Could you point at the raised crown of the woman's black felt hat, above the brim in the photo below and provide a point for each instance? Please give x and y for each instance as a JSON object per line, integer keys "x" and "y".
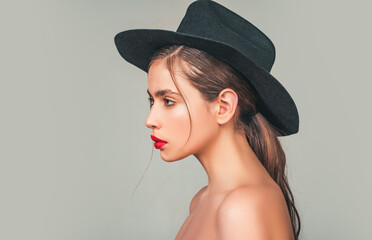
{"x": 210, "y": 20}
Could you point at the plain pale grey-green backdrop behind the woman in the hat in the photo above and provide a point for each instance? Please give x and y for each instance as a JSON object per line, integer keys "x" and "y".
{"x": 74, "y": 144}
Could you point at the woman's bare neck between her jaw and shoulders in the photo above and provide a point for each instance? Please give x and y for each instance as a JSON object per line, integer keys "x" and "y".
{"x": 230, "y": 162}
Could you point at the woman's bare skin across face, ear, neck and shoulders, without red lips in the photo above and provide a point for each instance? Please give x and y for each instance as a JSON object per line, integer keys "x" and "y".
{"x": 241, "y": 200}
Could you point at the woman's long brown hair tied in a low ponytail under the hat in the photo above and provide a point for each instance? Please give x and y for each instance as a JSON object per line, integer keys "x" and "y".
{"x": 210, "y": 76}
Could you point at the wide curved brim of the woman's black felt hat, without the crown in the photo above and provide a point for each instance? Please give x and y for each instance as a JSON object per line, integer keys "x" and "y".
{"x": 137, "y": 46}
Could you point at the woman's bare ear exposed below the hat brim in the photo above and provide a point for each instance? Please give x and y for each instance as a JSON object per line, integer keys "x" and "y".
{"x": 226, "y": 104}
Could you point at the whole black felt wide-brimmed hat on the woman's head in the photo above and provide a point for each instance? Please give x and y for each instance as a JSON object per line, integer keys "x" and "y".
{"x": 212, "y": 28}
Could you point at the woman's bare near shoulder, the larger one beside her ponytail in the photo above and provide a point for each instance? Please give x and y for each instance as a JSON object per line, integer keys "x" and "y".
{"x": 254, "y": 212}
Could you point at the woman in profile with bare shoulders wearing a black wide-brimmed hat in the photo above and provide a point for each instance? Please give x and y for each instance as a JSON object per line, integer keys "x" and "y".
{"x": 212, "y": 96}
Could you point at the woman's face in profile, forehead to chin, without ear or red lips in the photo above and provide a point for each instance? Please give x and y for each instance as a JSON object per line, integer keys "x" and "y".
{"x": 169, "y": 118}
